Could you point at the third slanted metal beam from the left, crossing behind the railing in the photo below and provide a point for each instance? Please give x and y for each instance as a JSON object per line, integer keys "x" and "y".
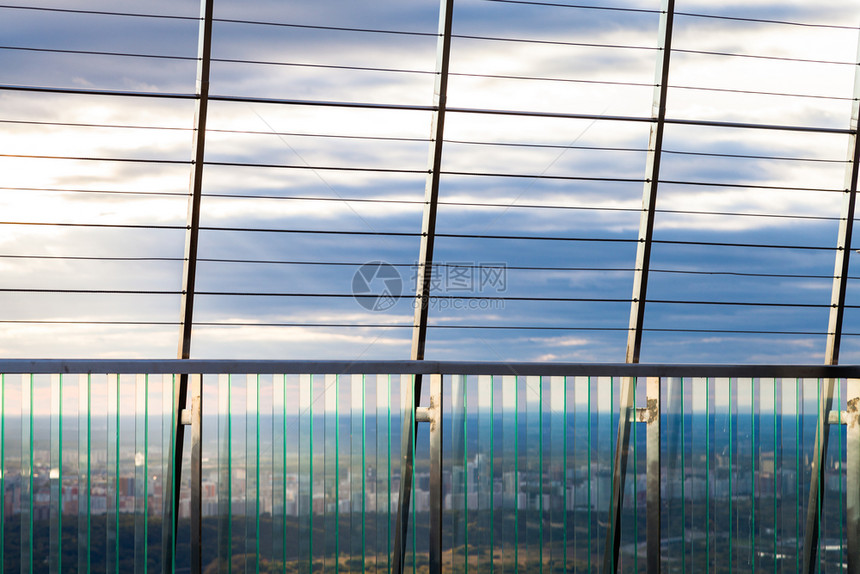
{"x": 640, "y": 284}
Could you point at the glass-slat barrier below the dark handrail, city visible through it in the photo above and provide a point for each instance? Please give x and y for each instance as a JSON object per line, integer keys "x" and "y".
{"x": 301, "y": 473}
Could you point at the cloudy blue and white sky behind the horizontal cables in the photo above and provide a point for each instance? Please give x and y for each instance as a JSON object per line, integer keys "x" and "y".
{"x": 532, "y": 207}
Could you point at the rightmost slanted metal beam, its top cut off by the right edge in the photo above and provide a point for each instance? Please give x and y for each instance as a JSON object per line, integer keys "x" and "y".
{"x": 834, "y": 337}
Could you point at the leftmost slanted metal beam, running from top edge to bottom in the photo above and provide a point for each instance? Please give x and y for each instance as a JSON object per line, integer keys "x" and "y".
{"x": 189, "y": 274}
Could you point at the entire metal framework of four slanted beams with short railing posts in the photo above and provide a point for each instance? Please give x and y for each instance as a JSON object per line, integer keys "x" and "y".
{"x": 185, "y": 416}
